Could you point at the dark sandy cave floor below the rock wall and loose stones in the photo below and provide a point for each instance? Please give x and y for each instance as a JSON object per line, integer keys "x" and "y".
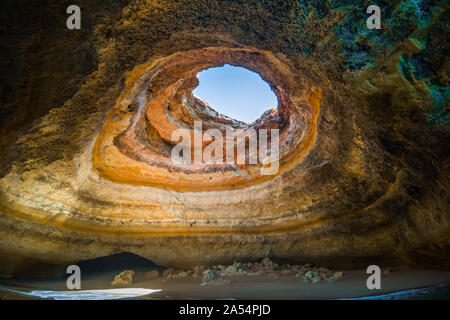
{"x": 352, "y": 285}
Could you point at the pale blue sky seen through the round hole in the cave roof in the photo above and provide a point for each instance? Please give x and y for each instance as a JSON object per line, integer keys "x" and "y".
{"x": 236, "y": 92}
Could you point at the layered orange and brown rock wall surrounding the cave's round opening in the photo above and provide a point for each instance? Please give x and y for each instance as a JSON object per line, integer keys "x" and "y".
{"x": 86, "y": 119}
